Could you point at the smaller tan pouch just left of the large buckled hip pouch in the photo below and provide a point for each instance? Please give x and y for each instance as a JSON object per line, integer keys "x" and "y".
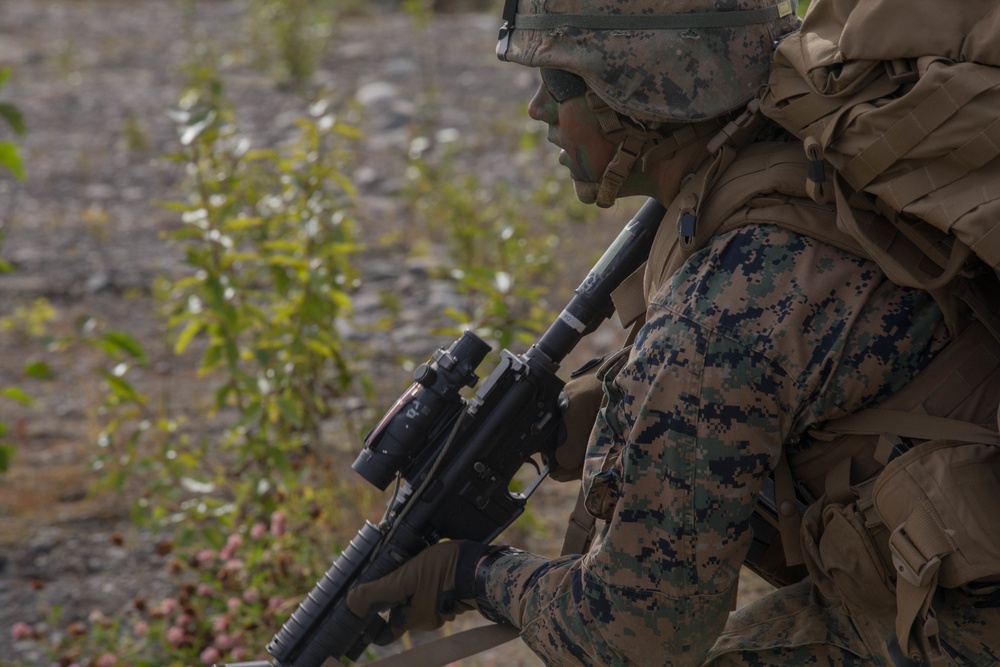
{"x": 842, "y": 557}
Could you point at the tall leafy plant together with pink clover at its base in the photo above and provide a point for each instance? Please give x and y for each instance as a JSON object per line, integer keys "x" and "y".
{"x": 256, "y": 508}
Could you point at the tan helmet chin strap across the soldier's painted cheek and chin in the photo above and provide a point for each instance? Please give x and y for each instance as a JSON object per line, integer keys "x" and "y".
{"x": 635, "y": 144}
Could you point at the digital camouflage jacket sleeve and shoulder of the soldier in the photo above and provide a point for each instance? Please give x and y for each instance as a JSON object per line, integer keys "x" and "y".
{"x": 760, "y": 335}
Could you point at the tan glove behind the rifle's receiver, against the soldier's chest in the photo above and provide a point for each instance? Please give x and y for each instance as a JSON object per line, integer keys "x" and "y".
{"x": 584, "y": 396}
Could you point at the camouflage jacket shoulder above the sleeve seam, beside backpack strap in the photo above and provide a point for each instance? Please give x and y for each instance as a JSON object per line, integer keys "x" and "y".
{"x": 773, "y": 292}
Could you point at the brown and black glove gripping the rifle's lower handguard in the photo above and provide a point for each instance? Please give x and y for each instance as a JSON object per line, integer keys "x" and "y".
{"x": 423, "y": 593}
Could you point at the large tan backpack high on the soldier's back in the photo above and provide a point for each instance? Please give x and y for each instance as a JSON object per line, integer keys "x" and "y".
{"x": 901, "y": 98}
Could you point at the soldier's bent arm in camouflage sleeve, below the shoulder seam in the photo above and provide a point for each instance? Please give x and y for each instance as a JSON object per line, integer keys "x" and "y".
{"x": 662, "y": 574}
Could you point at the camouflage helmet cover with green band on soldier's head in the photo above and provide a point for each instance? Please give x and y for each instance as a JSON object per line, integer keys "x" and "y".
{"x": 680, "y": 60}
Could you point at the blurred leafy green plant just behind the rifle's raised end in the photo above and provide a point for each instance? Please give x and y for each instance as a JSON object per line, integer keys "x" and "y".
{"x": 503, "y": 243}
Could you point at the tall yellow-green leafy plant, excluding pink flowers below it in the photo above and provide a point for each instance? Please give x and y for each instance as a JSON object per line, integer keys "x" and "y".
{"x": 267, "y": 236}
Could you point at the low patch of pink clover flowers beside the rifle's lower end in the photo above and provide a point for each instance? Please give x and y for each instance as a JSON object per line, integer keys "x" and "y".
{"x": 229, "y": 598}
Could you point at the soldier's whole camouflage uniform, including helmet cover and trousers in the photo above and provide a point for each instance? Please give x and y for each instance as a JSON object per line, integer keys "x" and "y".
{"x": 760, "y": 335}
